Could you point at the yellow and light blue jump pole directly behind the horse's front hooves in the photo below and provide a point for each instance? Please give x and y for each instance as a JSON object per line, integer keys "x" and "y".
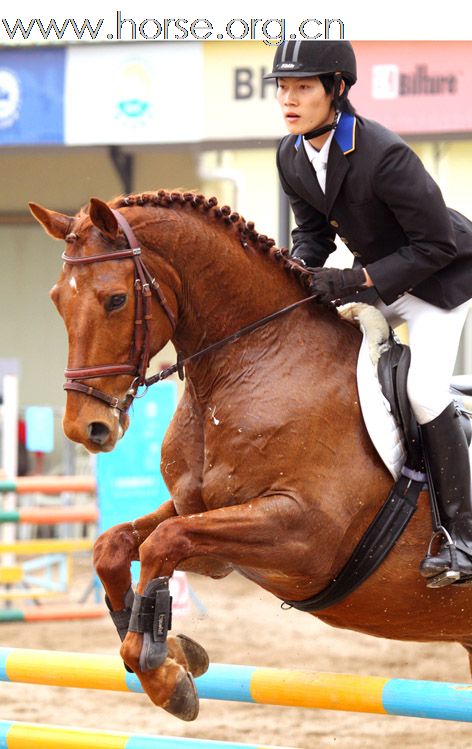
{"x": 269, "y": 686}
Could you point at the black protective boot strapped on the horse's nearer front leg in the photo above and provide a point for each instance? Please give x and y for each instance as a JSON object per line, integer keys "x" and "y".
{"x": 151, "y": 616}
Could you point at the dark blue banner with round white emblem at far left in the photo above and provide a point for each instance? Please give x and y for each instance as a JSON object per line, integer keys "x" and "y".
{"x": 31, "y": 96}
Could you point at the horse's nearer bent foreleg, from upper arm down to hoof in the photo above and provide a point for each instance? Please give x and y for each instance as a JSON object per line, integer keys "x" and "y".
{"x": 268, "y": 533}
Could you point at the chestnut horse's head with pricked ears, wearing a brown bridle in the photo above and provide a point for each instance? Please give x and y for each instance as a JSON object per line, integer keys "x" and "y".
{"x": 114, "y": 323}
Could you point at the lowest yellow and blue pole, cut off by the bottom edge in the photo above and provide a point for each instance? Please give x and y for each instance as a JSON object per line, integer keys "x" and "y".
{"x": 34, "y": 736}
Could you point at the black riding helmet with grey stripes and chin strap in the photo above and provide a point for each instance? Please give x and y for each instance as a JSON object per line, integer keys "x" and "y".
{"x": 306, "y": 58}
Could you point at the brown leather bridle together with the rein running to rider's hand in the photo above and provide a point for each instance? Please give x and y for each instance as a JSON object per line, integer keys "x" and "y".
{"x": 144, "y": 285}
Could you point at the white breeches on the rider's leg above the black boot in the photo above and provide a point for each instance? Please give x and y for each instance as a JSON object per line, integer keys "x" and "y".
{"x": 434, "y": 336}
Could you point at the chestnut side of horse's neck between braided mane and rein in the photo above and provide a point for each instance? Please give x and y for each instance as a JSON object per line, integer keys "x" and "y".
{"x": 223, "y": 285}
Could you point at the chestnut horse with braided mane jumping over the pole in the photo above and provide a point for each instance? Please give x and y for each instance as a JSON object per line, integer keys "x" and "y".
{"x": 268, "y": 463}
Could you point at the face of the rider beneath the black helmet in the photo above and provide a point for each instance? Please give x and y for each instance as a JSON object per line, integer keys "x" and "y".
{"x": 305, "y": 104}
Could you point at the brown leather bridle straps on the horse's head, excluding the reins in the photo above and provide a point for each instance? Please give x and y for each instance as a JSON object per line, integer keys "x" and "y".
{"x": 144, "y": 285}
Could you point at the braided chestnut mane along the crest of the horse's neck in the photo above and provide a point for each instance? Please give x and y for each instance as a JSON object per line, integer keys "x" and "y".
{"x": 230, "y": 219}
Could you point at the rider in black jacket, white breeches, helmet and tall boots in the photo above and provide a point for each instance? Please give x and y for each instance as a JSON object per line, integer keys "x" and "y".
{"x": 350, "y": 176}
